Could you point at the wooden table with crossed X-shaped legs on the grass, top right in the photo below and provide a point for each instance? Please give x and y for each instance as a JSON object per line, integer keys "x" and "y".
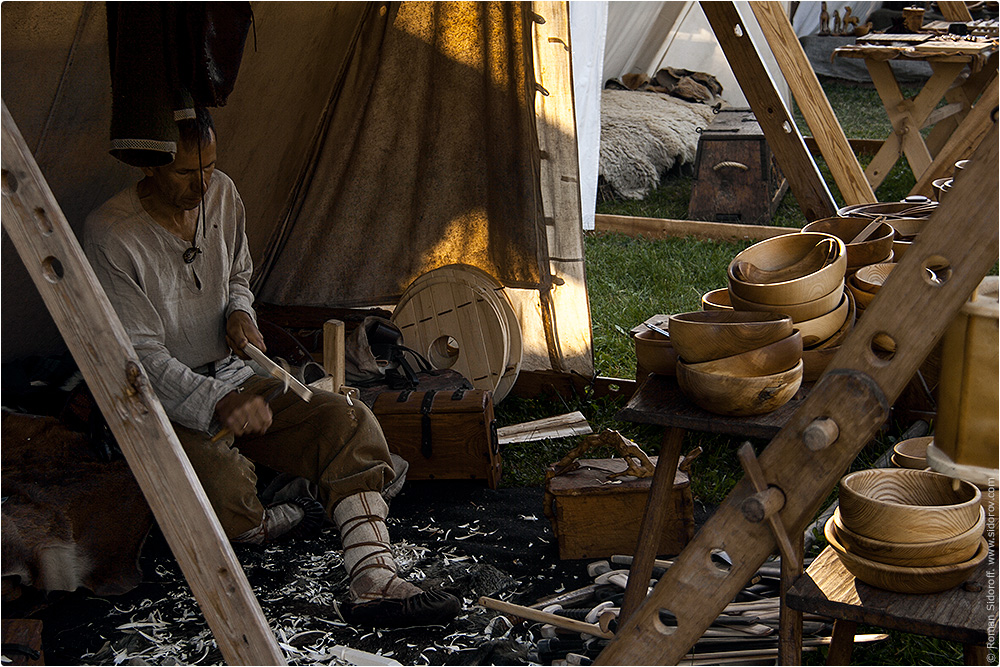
{"x": 948, "y": 57}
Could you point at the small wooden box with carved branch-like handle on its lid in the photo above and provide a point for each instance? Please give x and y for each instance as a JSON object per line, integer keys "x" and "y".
{"x": 594, "y": 518}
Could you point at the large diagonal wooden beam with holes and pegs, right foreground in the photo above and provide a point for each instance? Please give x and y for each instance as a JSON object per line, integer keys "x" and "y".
{"x": 841, "y": 414}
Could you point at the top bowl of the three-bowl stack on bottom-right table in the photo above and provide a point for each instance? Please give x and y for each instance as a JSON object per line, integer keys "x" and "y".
{"x": 902, "y": 505}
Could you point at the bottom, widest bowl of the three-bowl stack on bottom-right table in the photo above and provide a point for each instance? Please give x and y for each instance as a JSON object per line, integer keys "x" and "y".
{"x": 902, "y": 579}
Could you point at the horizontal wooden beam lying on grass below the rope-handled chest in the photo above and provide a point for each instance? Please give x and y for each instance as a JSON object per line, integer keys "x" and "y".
{"x": 660, "y": 228}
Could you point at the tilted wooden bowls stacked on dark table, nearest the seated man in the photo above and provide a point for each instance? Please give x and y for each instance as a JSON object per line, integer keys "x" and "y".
{"x": 737, "y": 363}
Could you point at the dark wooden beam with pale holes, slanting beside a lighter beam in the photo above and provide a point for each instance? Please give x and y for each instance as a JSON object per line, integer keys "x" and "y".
{"x": 777, "y": 123}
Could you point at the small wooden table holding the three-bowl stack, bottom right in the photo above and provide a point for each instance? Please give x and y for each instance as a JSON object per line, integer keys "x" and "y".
{"x": 961, "y": 614}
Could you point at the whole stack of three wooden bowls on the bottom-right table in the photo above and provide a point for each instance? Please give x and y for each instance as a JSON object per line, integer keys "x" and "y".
{"x": 909, "y": 531}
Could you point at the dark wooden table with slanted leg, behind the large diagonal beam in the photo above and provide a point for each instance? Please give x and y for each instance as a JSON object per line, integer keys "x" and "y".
{"x": 659, "y": 401}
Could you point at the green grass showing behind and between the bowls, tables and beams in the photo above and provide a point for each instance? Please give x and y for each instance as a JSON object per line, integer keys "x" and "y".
{"x": 630, "y": 279}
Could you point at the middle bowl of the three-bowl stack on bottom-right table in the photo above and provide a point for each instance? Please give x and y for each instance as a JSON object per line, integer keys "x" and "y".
{"x": 956, "y": 549}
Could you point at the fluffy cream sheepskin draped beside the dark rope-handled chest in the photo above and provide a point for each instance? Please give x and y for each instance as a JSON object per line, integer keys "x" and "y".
{"x": 643, "y": 134}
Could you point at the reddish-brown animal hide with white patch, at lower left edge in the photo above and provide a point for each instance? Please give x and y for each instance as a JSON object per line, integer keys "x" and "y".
{"x": 69, "y": 520}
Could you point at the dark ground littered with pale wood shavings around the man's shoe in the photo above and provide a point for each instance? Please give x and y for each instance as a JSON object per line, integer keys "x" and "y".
{"x": 464, "y": 536}
